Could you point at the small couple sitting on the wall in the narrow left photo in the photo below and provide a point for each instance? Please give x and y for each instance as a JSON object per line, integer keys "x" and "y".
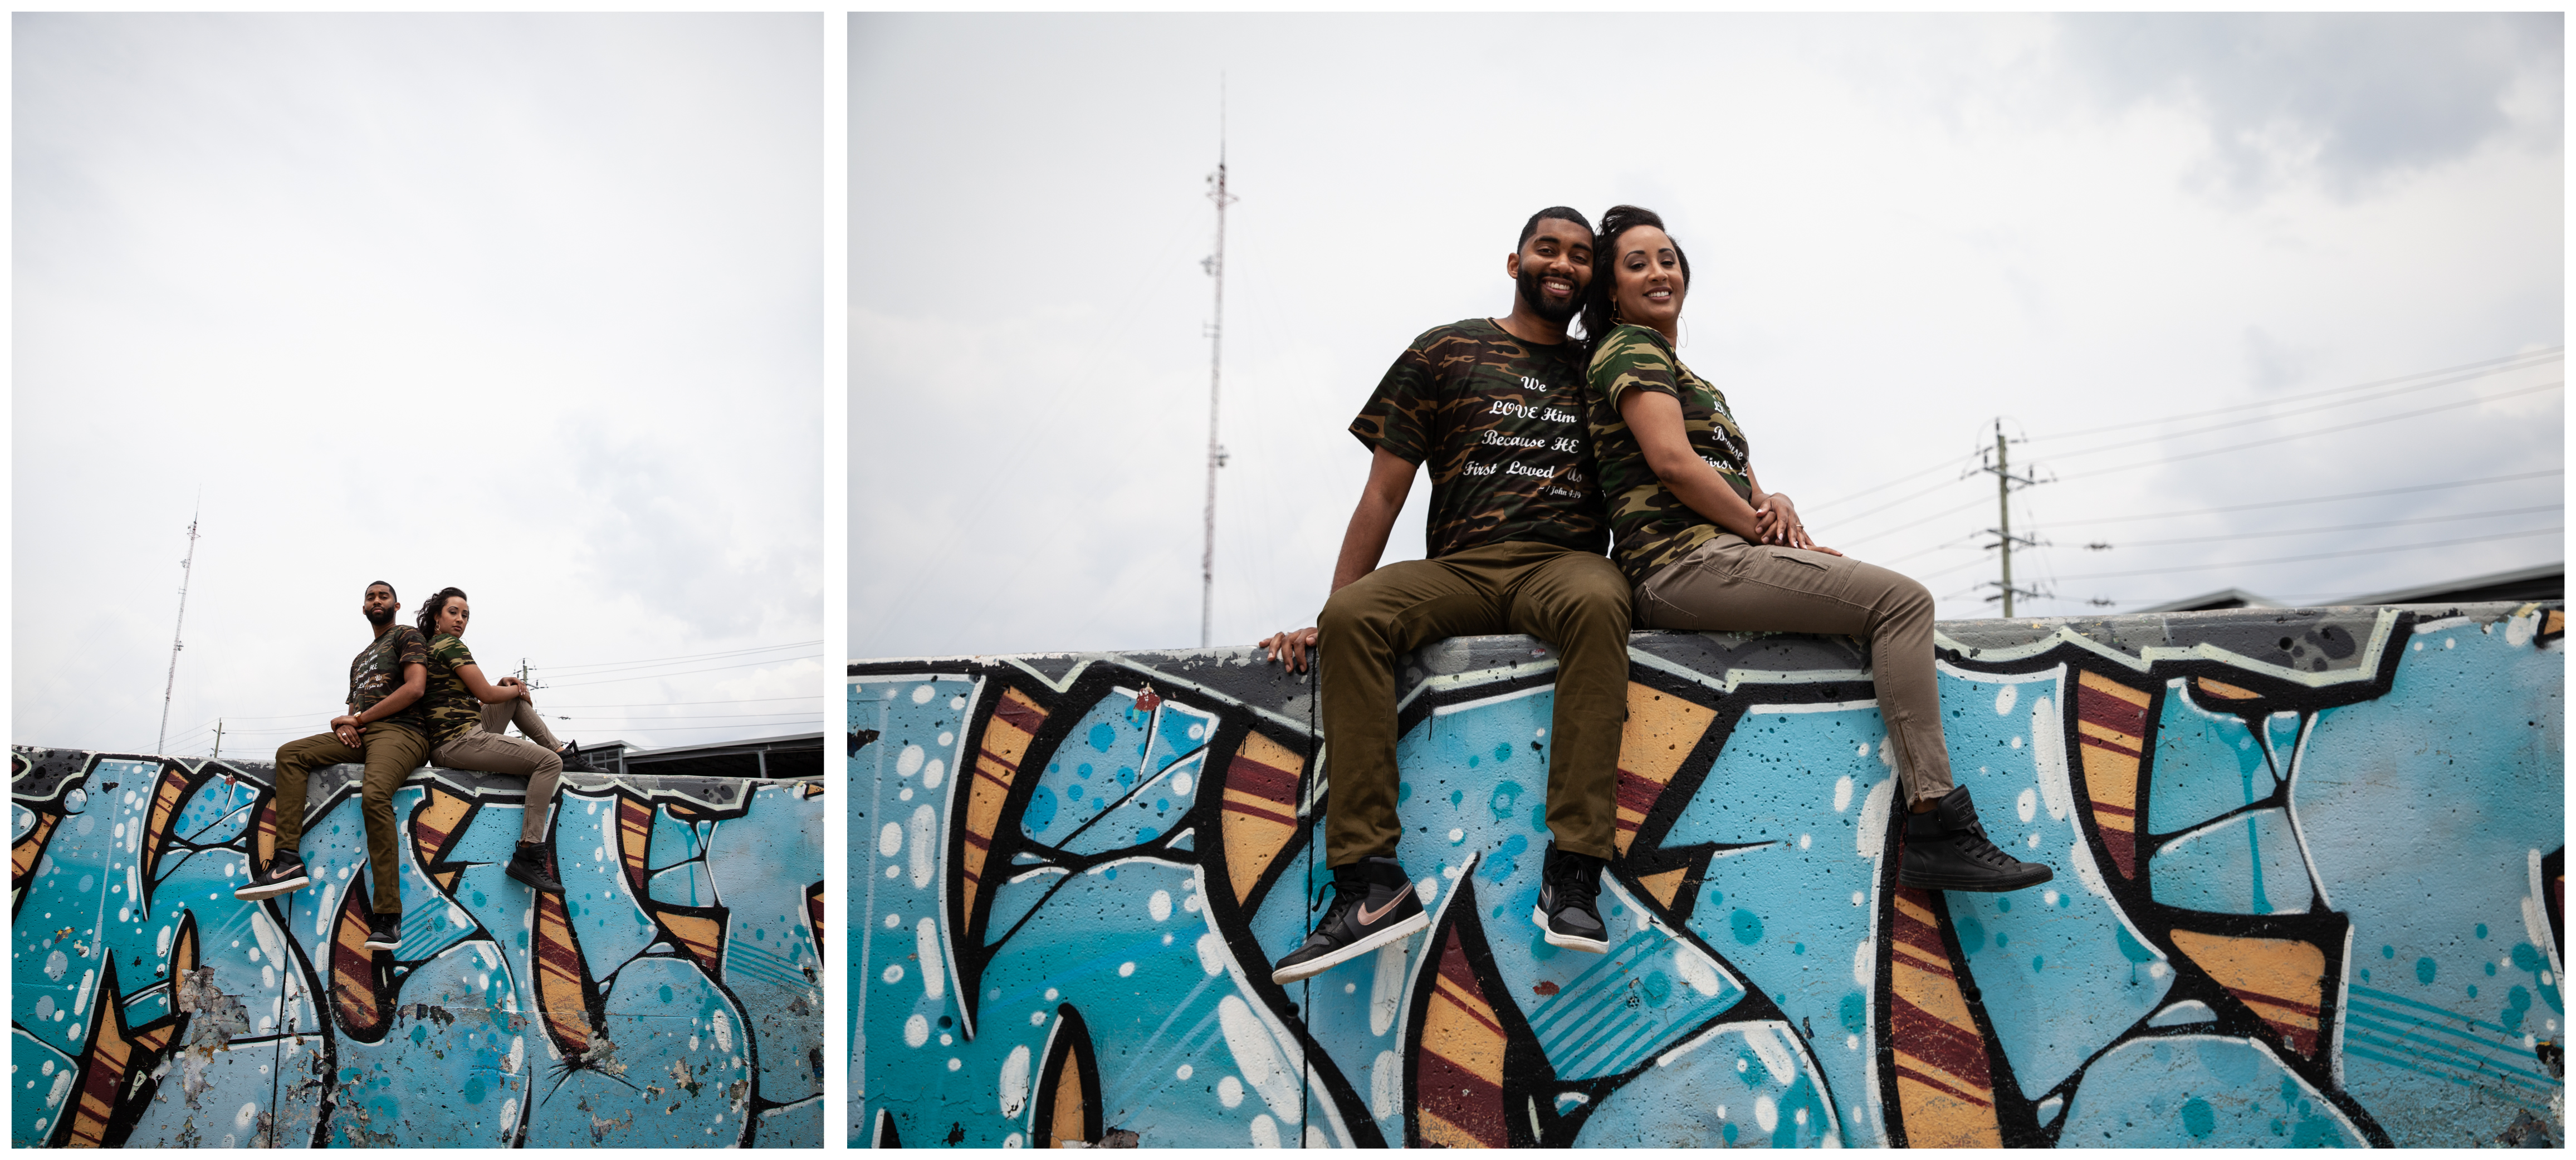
{"x": 419, "y": 695}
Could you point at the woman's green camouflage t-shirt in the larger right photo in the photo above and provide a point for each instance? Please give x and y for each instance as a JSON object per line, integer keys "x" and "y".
{"x": 1653, "y": 525}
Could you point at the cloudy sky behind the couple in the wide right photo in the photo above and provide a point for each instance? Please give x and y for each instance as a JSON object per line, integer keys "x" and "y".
{"x": 1902, "y": 228}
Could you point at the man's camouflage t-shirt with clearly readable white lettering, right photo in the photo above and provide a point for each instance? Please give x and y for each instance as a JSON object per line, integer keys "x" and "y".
{"x": 1501, "y": 429}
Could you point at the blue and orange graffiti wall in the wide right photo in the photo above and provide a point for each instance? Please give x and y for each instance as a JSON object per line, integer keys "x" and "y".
{"x": 2307, "y": 893}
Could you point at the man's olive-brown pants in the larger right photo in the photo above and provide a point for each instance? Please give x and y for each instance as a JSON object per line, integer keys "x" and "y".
{"x": 1570, "y": 599}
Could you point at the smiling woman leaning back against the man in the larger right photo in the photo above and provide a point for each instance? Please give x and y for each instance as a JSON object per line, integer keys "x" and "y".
{"x": 1707, "y": 548}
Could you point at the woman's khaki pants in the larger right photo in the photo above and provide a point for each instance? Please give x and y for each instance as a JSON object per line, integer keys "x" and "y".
{"x": 1738, "y": 586}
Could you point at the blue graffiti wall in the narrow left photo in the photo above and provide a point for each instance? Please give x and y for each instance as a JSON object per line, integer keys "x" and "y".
{"x": 671, "y": 996}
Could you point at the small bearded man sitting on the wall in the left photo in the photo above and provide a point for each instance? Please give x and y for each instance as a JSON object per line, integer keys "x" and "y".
{"x": 385, "y": 731}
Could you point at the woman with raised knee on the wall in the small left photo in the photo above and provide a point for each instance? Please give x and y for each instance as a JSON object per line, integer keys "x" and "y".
{"x": 468, "y": 720}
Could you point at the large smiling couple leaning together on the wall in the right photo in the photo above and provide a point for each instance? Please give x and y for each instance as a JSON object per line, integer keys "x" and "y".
{"x": 1542, "y": 452}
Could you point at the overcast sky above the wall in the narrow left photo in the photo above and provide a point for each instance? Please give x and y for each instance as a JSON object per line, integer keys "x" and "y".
{"x": 516, "y": 305}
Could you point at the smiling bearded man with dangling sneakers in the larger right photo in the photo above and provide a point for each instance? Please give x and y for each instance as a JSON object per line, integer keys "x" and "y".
{"x": 1516, "y": 540}
